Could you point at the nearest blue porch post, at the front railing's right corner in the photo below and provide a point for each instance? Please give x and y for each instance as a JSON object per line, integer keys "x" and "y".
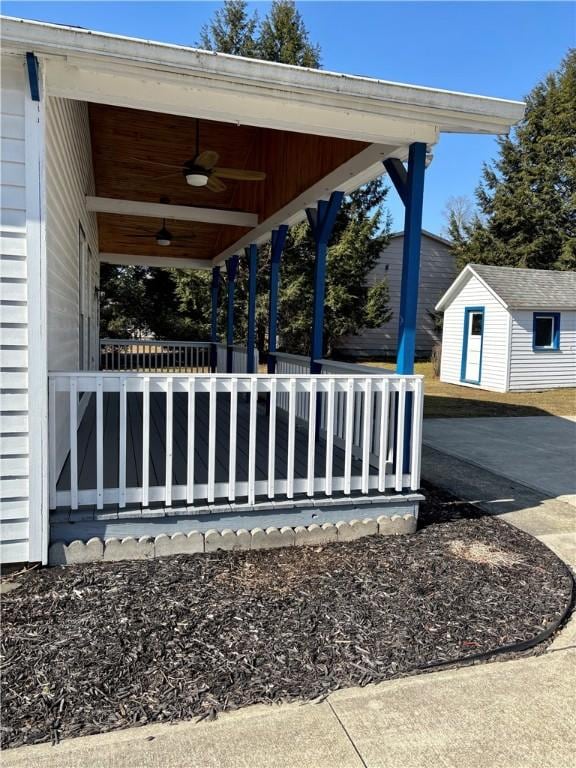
{"x": 410, "y": 187}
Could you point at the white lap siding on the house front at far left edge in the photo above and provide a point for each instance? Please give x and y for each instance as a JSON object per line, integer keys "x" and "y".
{"x": 14, "y": 421}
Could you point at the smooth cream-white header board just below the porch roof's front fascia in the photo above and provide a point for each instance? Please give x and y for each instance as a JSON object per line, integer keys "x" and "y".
{"x": 208, "y": 99}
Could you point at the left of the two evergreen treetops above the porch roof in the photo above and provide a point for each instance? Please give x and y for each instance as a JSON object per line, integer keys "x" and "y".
{"x": 232, "y": 30}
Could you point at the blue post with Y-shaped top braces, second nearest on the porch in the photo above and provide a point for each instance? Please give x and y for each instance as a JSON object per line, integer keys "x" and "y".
{"x": 321, "y": 223}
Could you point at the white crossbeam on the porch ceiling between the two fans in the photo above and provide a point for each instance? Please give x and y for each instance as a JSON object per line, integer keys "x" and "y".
{"x": 173, "y": 212}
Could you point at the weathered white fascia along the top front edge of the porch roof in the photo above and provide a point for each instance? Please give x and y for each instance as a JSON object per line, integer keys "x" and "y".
{"x": 448, "y": 110}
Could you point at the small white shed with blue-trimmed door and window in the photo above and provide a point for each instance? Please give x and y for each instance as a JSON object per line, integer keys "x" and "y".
{"x": 508, "y": 329}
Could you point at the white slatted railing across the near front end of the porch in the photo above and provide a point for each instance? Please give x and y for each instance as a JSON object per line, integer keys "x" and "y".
{"x": 372, "y": 454}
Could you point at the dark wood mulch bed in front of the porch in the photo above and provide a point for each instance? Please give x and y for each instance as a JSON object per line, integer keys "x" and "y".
{"x": 98, "y": 647}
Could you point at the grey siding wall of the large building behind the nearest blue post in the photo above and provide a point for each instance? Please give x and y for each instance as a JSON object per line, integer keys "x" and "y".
{"x": 437, "y": 272}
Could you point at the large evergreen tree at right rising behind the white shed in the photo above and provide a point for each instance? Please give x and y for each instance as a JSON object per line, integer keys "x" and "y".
{"x": 527, "y": 197}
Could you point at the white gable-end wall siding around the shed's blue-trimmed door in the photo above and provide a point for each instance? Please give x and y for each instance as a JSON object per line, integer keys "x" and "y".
{"x": 495, "y": 343}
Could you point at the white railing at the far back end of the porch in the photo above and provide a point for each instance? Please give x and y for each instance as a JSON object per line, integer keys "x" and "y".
{"x": 158, "y": 355}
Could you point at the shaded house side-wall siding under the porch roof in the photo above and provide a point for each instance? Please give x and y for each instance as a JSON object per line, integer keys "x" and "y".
{"x": 69, "y": 178}
